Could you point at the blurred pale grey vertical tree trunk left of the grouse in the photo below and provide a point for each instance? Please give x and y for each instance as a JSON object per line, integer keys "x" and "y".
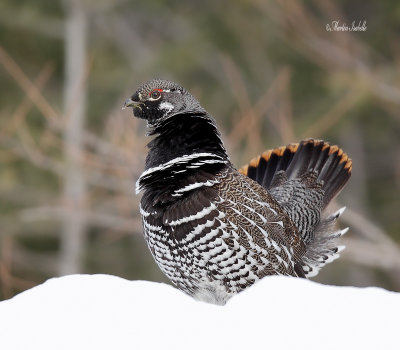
{"x": 73, "y": 228}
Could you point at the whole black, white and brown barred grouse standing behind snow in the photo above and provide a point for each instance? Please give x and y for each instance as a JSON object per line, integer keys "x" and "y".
{"x": 214, "y": 230}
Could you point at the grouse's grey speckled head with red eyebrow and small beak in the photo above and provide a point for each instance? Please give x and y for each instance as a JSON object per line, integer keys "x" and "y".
{"x": 158, "y": 100}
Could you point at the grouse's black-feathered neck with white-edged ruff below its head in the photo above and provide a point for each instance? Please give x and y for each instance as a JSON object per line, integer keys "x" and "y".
{"x": 185, "y": 145}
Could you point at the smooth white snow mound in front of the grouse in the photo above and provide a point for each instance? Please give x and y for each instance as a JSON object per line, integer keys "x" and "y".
{"x": 108, "y": 312}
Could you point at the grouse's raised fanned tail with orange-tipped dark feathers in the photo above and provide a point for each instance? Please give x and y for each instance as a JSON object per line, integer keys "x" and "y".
{"x": 304, "y": 177}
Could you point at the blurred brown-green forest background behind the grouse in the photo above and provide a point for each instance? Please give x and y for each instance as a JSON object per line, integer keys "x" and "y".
{"x": 270, "y": 73}
